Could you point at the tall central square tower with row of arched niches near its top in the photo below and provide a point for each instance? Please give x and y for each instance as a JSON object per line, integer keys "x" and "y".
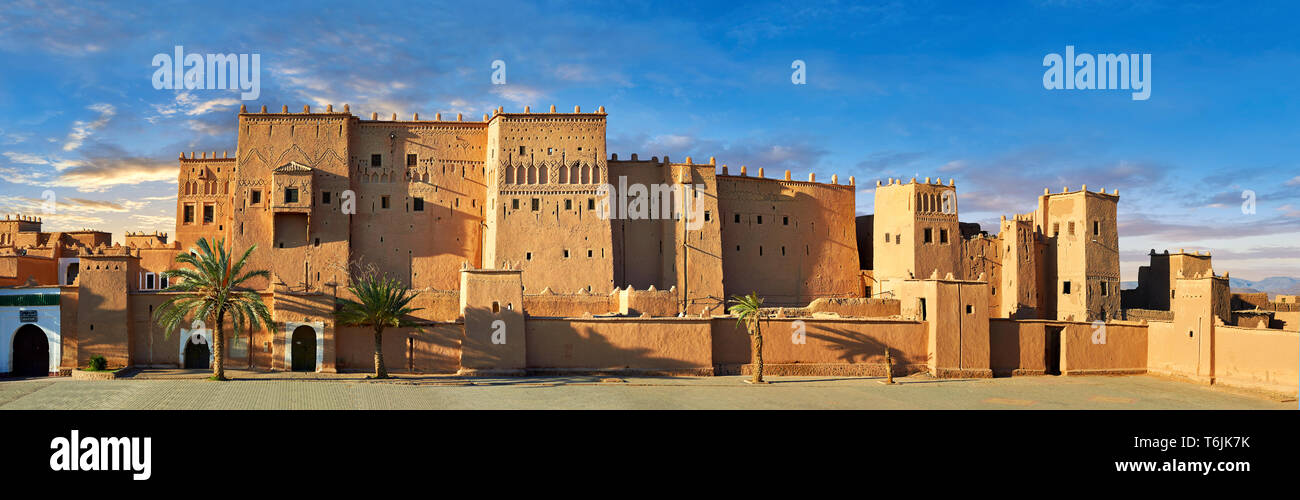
{"x": 544, "y": 189}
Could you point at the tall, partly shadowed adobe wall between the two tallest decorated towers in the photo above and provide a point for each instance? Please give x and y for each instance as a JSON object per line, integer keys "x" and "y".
{"x": 422, "y": 244}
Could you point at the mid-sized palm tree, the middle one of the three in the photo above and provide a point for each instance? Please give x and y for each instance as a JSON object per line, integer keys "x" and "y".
{"x": 382, "y": 302}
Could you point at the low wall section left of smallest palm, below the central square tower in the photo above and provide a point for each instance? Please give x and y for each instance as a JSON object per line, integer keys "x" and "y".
{"x": 651, "y": 346}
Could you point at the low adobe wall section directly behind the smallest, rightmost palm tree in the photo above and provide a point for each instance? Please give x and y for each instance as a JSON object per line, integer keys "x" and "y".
{"x": 831, "y": 347}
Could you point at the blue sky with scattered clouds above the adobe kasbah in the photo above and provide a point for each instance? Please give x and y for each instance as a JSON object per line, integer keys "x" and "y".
{"x": 913, "y": 89}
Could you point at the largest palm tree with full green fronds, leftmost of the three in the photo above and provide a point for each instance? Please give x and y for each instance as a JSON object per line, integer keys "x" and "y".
{"x": 213, "y": 290}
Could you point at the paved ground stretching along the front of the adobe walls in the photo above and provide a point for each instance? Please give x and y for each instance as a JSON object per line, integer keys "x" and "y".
{"x": 187, "y": 390}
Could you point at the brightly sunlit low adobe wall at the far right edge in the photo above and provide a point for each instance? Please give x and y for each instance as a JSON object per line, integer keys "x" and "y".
{"x": 1258, "y": 359}
